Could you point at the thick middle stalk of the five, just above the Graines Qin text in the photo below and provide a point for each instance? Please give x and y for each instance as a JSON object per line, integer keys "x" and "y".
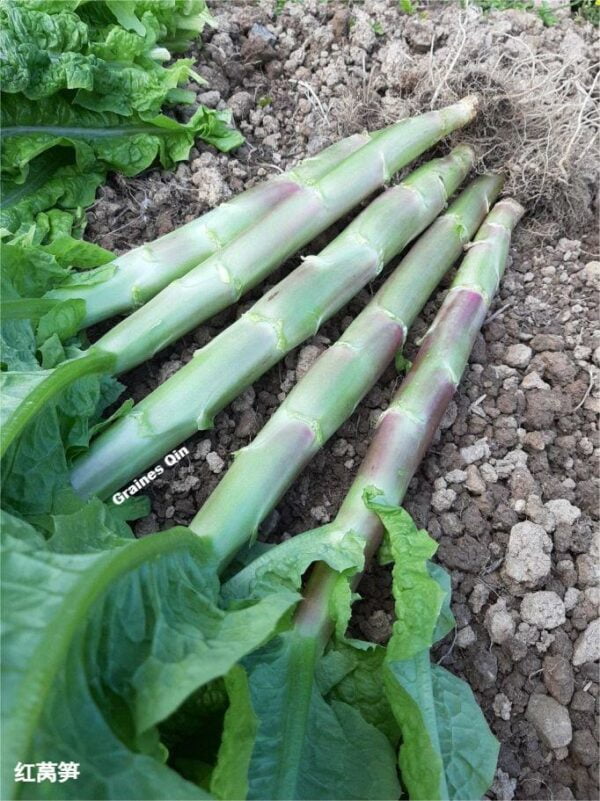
{"x": 284, "y": 317}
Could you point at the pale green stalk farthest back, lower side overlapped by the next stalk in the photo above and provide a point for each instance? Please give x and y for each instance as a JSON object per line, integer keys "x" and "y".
{"x": 144, "y": 271}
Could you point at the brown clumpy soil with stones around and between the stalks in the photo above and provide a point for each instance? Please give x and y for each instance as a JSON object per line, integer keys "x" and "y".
{"x": 509, "y": 487}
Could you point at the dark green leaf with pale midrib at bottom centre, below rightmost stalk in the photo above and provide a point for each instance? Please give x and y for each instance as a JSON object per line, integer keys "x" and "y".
{"x": 307, "y": 746}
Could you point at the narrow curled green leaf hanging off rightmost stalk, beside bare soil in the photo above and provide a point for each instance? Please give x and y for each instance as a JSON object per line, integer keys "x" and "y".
{"x": 447, "y": 750}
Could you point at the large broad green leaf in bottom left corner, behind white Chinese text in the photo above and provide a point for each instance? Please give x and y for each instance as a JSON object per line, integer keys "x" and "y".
{"x": 112, "y": 642}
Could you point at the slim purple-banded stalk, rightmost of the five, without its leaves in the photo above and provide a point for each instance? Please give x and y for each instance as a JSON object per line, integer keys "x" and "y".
{"x": 406, "y": 428}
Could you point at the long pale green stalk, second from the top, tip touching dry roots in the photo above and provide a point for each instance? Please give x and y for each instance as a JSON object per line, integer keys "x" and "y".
{"x": 225, "y": 276}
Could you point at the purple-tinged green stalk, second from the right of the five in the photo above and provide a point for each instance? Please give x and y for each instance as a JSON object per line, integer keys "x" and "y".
{"x": 329, "y": 392}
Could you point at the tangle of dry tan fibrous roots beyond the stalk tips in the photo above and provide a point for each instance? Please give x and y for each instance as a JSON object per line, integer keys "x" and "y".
{"x": 538, "y": 122}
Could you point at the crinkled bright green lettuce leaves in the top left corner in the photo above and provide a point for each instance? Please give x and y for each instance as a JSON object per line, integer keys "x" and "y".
{"x": 87, "y": 82}
